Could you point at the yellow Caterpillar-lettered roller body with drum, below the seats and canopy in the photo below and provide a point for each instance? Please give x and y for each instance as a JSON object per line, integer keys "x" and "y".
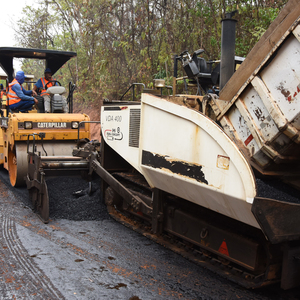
{"x": 60, "y": 134}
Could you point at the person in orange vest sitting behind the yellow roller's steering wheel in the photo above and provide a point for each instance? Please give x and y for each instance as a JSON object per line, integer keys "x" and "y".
{"x": 41, "y": 84}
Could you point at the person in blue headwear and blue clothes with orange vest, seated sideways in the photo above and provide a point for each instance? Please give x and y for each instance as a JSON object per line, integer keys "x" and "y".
{"x": 19, "y": 98}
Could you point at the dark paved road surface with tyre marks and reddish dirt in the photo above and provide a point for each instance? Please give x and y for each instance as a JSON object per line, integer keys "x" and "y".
{"x": 84, "y": 254}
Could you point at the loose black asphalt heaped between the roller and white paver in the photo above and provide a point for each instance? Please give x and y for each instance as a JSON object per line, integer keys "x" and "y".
{"x": 69, "y": 198}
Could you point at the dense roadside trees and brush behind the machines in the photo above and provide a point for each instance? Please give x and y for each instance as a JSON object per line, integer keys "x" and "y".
{"x": 119, "y": 42}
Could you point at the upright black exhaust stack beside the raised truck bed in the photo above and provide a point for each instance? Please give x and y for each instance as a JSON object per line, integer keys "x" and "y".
{"x": 227, "y": 48}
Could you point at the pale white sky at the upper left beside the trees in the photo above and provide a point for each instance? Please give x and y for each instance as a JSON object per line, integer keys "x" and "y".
{"x": 11, "y": 12}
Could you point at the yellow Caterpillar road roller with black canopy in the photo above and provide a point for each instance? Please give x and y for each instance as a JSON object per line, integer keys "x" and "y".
{"x": 55, "y": 133}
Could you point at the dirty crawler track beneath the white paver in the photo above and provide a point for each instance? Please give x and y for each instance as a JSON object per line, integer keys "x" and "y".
{"x": 182, "y": 245}
